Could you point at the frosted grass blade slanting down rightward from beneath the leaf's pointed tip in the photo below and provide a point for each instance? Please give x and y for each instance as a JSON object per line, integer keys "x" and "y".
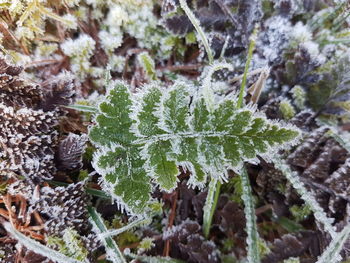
{"x": 308, "y": 198}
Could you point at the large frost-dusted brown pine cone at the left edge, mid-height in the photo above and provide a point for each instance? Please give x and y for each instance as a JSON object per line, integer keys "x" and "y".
{"x": 27, "y": 141}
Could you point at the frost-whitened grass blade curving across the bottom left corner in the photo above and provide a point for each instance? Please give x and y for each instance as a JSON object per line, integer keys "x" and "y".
{"x": 38, "y": 248}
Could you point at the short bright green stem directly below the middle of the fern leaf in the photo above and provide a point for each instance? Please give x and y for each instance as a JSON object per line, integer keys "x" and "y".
{"x": 210, "y": 204}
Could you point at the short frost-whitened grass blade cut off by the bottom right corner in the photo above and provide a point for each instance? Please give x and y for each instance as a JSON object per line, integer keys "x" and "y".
{"x": 332, "y": 252}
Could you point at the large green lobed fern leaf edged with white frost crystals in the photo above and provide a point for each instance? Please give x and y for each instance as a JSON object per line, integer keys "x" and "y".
{"x": 144, "y": 137}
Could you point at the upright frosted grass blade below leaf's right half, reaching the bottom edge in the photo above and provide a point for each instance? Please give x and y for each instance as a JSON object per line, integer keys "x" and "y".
{"x": 249, "y": 211}
